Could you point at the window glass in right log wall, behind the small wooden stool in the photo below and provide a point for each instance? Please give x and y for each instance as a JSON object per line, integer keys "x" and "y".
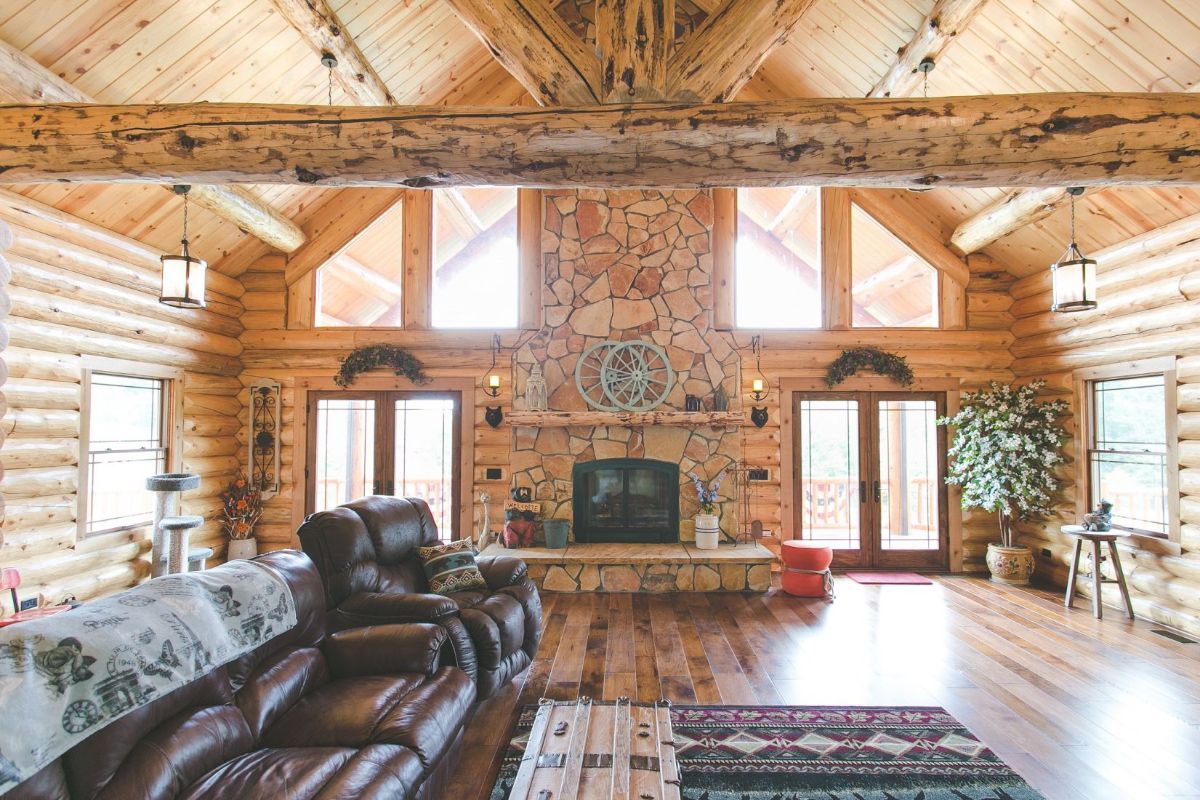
{"x": 1129, "y": 453}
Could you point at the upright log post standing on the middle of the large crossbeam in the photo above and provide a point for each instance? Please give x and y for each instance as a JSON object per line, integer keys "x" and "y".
{"x": 634, "y": 39}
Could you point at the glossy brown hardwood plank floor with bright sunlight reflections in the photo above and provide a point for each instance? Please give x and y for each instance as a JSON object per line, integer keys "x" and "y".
{"x": 1083, "y": 709}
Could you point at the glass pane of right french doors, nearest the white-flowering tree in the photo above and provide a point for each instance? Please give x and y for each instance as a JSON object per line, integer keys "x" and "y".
{"x": 909, "y": 482}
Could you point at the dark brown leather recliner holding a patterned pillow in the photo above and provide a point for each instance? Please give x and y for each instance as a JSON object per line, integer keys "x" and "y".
{"x": 367, "y": 552}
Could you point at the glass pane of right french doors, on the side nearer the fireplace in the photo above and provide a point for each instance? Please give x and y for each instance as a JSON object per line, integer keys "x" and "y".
{"x": 830, "y": 472}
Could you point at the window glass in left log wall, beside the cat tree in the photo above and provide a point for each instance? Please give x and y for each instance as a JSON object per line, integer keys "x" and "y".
{"x": 127, "y": 443}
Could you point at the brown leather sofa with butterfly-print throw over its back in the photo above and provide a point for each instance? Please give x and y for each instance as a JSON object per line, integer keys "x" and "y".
{"x": 361, "y": 714}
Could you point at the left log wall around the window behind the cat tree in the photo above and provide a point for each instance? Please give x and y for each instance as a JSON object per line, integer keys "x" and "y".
{"x": 80, "y": 291}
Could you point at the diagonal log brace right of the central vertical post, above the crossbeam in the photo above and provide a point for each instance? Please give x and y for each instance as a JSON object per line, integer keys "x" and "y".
{"x": 730, "y": 46}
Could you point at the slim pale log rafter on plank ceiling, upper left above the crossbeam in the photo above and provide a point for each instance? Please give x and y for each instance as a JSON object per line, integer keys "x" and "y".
{"x": 323, "y": 32}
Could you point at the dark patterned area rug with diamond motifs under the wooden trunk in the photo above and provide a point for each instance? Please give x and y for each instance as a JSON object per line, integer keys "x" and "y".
{"x": 820, "y": 754}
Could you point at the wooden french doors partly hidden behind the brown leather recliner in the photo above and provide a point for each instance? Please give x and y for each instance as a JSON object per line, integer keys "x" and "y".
{"x": 398, "y": 443}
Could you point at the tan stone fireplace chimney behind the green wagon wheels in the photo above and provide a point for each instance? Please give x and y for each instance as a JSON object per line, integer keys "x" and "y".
{"x": 628, "y": 266}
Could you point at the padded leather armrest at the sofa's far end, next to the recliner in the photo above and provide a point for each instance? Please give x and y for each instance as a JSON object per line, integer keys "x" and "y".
{"x": 386, "y": 651}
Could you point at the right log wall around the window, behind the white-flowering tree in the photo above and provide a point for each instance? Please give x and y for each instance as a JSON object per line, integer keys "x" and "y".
{"x": 1149, "y": 296}
